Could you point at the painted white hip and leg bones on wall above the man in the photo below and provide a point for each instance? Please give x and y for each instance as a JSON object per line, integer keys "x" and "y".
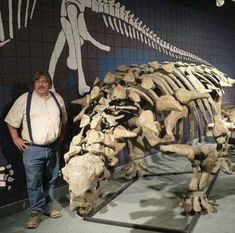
{"x": 75, "y": 32}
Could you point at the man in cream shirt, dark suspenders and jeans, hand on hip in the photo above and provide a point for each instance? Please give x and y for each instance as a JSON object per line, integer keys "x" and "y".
{"x": 41, "y": 116}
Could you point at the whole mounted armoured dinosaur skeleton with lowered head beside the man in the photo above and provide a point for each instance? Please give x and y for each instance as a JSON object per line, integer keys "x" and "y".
{"x": 144, "y": 107}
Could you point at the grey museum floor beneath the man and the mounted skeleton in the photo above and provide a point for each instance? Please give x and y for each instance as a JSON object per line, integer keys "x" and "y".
{"x": 146, "y": 205}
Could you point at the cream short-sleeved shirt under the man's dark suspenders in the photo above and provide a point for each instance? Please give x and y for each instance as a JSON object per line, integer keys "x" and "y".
{"x": 44, "y": 116}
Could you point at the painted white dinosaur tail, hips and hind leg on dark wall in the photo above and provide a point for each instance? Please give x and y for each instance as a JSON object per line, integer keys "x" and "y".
{"x": 75, "y": 32}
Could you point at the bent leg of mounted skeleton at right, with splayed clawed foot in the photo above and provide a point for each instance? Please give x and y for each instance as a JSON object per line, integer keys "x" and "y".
{"x": 203, "y": 160}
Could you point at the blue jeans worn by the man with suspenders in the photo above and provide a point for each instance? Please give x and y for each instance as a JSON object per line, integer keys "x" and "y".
{"x": 42, "y": 168}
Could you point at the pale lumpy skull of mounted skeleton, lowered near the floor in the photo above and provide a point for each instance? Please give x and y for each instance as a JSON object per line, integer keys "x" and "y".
{"x": 86, "y": 176}
